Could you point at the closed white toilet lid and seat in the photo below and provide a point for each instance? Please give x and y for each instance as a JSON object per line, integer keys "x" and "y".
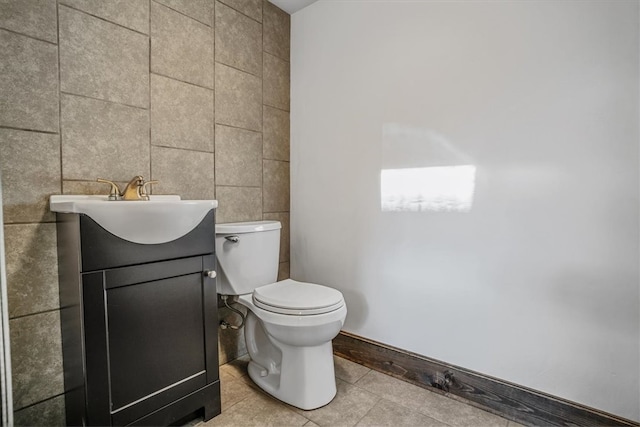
{"x": 297, "y": 298}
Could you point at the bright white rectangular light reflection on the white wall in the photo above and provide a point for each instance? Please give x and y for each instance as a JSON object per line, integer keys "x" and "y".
{"x": 428, "y": 189}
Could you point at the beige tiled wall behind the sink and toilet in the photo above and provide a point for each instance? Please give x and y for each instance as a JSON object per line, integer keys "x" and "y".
{"x": 194, "y": 93}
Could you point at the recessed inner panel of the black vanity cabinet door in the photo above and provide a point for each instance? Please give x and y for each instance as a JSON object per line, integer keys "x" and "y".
{"x": 156, "y": 337}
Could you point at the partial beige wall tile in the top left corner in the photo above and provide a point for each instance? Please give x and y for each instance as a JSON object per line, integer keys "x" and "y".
{"x": 35, "y": 18}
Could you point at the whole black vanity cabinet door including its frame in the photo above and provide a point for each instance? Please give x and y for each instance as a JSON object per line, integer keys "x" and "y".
{"x": 148, "y": 342}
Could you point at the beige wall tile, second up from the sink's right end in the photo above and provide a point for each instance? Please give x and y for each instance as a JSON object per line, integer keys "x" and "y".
{"x": 181, "y": 114}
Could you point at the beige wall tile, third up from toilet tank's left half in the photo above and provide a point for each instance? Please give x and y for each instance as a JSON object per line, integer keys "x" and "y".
{"x": 238, "y": 98}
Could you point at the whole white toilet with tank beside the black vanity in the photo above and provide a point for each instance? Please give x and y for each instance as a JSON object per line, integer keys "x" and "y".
{"x": 290, "y": 324}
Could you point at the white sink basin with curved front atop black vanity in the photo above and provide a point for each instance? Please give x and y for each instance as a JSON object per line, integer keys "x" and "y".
{"x": 158, "y": 220}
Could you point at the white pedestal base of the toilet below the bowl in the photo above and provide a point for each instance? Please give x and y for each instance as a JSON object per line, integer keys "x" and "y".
{"x": 306, "y": 378}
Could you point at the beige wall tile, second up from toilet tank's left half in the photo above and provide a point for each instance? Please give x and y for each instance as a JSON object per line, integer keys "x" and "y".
{"x": 238, "y": 157}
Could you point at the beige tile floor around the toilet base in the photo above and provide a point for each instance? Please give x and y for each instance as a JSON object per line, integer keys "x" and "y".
{"x": 364, "y": 398}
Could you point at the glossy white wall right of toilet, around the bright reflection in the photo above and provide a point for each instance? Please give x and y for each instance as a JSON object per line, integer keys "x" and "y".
{"x": 538, "y": 282}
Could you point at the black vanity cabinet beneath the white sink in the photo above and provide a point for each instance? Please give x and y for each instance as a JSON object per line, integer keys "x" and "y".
{"x": 139, "y": 325}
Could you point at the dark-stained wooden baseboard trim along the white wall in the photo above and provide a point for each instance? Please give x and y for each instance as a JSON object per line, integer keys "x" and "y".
{"x": 517, "y": 403}
